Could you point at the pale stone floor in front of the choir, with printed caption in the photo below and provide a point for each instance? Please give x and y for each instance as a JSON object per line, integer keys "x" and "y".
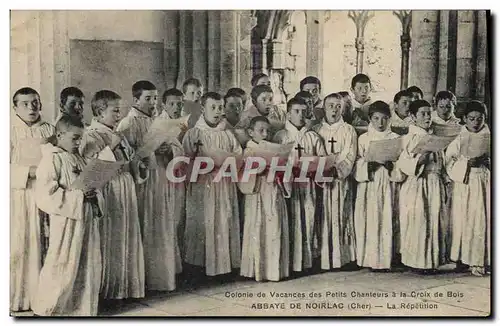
{"x": 444, "y": 294}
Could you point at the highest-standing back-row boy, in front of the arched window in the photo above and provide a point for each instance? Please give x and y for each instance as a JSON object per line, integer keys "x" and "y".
{"x": 361, "y": 88}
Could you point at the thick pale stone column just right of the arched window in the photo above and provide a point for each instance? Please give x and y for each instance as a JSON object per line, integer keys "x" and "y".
{"x": 424, "y": 51}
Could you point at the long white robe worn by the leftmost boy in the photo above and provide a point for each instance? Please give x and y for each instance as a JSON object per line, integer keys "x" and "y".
{"x": 25, "y": 228}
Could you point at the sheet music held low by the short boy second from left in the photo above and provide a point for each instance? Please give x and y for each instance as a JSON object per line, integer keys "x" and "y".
{"x": 96, "y": 174}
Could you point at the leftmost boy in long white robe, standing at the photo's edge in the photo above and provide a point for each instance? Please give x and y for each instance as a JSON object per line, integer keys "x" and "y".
{"x": 27, "y": 244}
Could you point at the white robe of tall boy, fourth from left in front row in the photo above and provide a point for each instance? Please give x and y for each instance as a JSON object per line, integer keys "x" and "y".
{"x": 158, "y": 229}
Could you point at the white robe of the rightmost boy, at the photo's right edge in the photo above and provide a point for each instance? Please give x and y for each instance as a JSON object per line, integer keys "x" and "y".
{"x": 470, "y": 206}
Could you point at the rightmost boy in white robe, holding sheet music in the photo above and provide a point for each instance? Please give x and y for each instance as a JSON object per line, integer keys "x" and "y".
{"x": 470, "y": 208}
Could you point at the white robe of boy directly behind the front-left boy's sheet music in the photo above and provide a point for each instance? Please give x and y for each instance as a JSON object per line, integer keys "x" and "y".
{"x": 121, "y": 241}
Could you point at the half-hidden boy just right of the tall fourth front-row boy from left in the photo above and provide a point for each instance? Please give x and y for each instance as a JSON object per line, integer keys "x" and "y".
{"x": 175, "y": 192}
